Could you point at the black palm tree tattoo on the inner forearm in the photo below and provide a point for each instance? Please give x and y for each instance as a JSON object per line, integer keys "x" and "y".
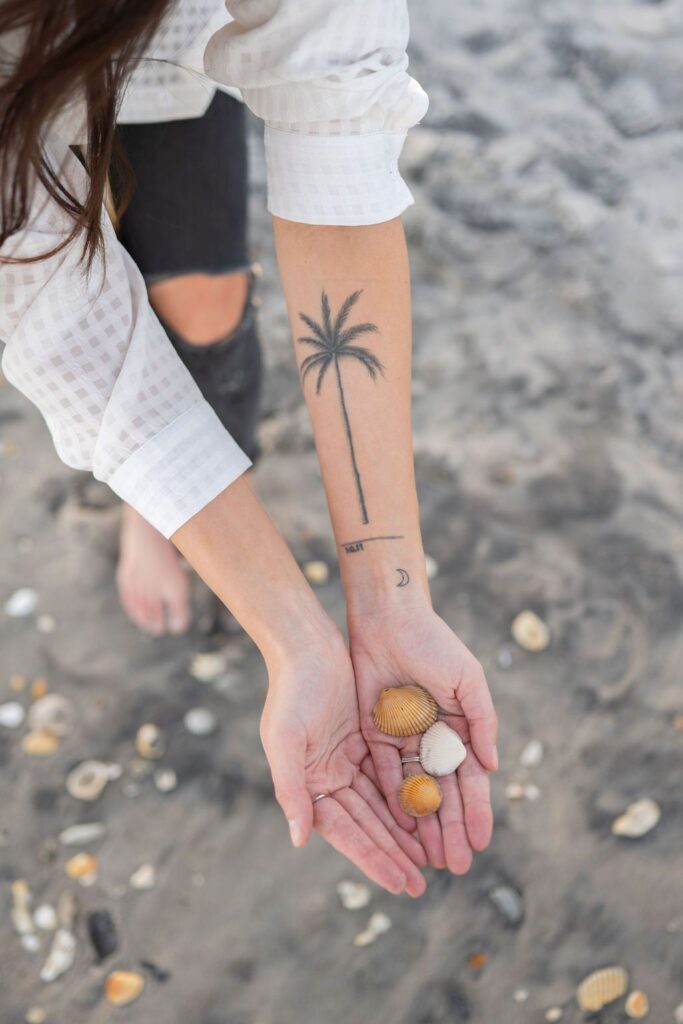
{"x": 333, "y": 345}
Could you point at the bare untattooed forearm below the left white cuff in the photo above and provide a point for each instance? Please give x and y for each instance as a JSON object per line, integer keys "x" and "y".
{"x": 237, "y": 550}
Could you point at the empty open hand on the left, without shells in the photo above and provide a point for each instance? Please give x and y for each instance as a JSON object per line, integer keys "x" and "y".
{"x": 312, "y": 737}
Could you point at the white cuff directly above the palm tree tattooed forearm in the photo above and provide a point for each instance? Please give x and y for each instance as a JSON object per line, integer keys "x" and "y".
{"x": 335, "y": 180}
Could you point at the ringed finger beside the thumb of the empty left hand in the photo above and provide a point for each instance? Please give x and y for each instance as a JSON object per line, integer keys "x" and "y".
{"x": 339, "y": 829}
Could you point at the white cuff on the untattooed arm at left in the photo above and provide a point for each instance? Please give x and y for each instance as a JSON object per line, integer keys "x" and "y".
{"x": 181, "y": 471}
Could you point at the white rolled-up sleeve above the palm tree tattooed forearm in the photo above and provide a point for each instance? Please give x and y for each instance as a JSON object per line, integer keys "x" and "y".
{"x": 331, "y": 82}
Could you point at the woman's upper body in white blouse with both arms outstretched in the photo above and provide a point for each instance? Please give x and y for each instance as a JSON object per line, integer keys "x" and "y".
{"x": 82, "y": 342}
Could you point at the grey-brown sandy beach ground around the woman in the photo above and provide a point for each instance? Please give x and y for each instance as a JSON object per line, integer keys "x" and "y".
{"x": 547, "y": 255}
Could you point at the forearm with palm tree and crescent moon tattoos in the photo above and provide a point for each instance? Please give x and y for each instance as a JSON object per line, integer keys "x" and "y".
{"x": 362, "y": 412}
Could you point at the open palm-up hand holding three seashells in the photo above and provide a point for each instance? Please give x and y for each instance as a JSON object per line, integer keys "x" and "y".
{"x": 414, "y": 646}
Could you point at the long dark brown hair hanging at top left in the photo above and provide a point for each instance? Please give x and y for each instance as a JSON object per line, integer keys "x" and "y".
{"x": 66, "y": 49}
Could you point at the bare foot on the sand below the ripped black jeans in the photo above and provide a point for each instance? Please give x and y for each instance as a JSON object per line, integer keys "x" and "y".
{"x": 153, "y": 585}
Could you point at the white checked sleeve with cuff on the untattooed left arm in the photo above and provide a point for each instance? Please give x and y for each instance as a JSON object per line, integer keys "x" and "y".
{"x": 89, "y": 351}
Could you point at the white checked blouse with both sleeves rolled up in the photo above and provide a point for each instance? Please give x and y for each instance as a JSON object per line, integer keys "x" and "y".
{"x": 330, "y": 81}
